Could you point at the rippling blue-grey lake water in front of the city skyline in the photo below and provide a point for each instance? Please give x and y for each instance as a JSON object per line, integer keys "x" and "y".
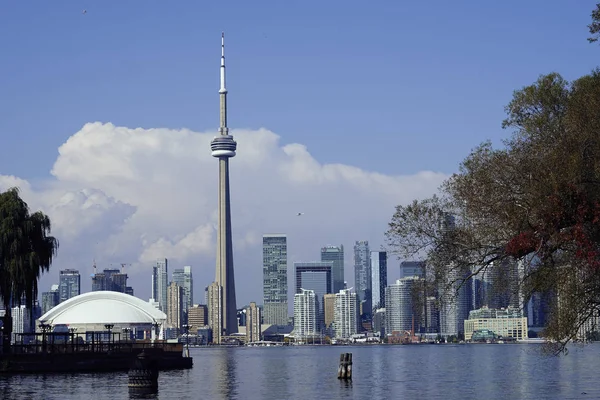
{"x": 379, "y": 372}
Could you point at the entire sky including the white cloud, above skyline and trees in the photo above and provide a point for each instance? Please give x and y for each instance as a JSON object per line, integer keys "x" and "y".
{"x": 387, "y": 96}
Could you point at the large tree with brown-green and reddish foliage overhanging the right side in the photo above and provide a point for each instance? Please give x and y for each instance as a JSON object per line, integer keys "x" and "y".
{"x": 535, "y": 201}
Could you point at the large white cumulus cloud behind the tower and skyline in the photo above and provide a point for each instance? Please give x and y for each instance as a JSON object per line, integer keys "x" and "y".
{"x": 122, "y": 195}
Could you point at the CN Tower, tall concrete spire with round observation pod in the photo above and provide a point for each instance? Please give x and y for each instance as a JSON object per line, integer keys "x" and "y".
{"x": 223, "y": 147}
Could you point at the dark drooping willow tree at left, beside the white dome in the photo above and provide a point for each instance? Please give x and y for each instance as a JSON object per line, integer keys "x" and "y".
{"x": 26, "y": 250}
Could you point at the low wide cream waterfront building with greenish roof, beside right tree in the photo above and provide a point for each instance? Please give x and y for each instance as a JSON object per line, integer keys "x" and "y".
{"x": 506, "y": 322}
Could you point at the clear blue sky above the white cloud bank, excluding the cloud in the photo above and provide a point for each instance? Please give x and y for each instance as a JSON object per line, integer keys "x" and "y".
{"x": 390, "y": 86}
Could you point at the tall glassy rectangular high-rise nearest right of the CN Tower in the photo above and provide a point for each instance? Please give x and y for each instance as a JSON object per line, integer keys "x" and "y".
{"x": 275, "y": 288}
